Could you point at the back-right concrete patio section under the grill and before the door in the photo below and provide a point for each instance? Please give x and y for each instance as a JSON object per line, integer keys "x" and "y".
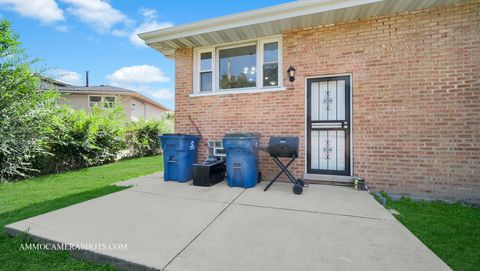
{"x": 316, "y": 198}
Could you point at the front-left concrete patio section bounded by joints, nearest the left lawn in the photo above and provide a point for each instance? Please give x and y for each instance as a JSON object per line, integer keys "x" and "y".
{"x": 154, "y": 227}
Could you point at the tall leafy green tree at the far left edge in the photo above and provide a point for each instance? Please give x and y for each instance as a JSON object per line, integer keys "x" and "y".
{"x": 25, "y": 110}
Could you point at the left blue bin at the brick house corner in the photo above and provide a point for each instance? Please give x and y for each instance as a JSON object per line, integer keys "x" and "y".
{"x": 179, "y": 155}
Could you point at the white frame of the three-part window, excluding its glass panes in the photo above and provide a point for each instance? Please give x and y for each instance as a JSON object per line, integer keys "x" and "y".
{"x": 214, "y": 50}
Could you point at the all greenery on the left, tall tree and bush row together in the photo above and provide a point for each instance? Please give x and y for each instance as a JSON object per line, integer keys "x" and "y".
{"x": 39, "y": 136}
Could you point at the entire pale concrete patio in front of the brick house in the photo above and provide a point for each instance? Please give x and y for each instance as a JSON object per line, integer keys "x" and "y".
{"x": 177, "y": 226}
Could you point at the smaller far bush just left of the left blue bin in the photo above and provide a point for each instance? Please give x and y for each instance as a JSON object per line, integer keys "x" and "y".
{"x": 141, "y": 137}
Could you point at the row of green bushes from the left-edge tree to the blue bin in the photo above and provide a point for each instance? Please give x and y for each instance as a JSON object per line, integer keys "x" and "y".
{"x": 78, "y": 139}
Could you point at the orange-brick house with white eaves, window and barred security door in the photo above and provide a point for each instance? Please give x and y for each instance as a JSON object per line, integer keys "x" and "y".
{"x": 384, "y": 89}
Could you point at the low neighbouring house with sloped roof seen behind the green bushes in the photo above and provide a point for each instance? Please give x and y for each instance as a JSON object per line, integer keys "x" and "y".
{"x": 135, "y": 105}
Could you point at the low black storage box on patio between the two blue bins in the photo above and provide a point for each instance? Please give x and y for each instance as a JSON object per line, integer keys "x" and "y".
{"x": 208, "y": 173}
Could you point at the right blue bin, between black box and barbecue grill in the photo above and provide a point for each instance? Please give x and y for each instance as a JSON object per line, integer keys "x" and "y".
{"x": 242, "y": 159}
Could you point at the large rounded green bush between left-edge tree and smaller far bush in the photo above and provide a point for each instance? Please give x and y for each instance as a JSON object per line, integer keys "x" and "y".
{"x": 79, "y": 139}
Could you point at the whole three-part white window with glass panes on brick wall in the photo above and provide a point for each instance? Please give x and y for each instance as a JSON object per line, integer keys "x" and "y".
{"x": 251, "y": 65}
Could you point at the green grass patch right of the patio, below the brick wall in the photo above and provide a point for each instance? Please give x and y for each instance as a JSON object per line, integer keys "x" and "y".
{"x": 452, "y": 231}
